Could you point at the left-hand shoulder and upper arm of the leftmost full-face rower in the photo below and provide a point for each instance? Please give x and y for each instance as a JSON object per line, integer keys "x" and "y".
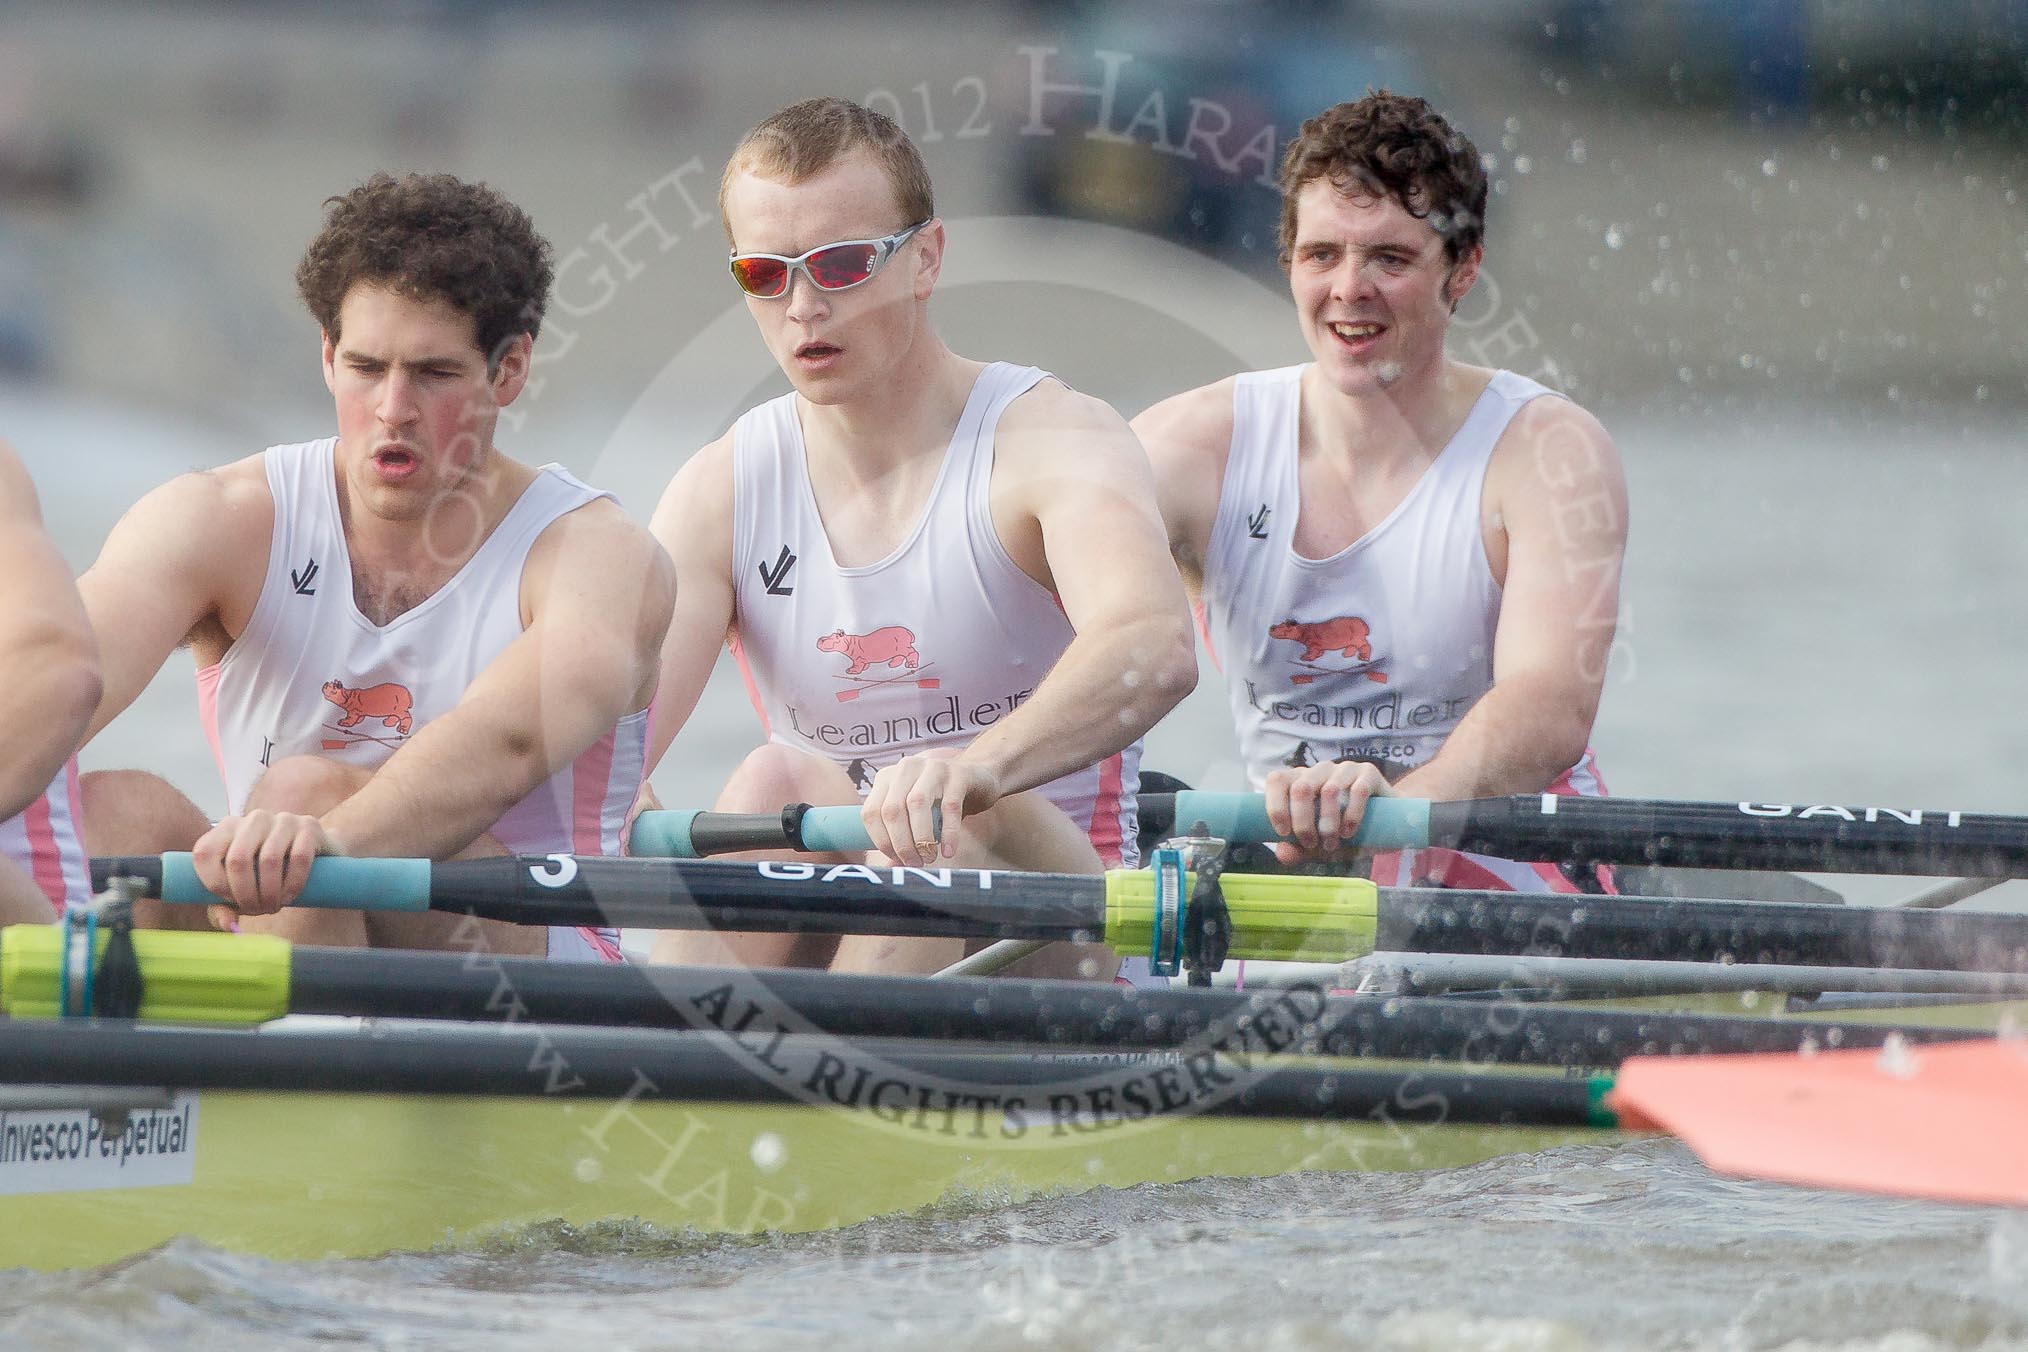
{"x": 169, "y": 569}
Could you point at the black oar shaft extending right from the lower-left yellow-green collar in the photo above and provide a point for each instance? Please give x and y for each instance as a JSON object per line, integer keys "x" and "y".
{"x": 1299, "y": 1019}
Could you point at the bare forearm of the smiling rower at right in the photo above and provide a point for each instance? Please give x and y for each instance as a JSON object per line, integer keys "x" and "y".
{"x": 1518, "y": 739}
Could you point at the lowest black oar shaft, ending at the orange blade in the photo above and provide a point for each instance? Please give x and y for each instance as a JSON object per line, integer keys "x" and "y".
{"x": 944, "y": 1092}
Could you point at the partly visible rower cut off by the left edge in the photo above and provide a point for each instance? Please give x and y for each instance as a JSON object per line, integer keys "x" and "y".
{"x": 50, "y": 684}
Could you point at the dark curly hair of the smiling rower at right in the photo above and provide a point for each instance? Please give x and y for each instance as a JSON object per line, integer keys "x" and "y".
{"x": 1390, "y": 145}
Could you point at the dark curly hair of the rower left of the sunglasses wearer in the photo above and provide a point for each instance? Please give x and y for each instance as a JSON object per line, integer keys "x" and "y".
{"x": 433, "y": 238}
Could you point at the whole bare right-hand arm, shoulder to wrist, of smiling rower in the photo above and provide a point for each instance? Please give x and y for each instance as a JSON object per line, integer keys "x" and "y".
{"x": 1561, "y": 504}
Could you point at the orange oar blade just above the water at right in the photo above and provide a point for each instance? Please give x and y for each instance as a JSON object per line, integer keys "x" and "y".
{"x": 1932, "y": 1122}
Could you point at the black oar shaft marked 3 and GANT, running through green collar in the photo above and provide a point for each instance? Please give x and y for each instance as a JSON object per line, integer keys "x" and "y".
{"x": 853, "y": 899}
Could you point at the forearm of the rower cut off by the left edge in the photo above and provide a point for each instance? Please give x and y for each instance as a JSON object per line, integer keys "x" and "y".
{"x": 50, "y": 686}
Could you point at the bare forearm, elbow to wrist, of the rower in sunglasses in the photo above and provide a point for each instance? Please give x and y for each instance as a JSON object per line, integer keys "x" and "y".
{"x": 1108, "y": 690}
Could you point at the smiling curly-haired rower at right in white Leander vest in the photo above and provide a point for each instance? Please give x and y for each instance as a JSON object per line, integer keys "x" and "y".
{"x": 1408, "y": 565}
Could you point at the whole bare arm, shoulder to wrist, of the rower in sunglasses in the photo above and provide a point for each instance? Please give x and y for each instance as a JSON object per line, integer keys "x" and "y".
{"x": 1070, "y": 471}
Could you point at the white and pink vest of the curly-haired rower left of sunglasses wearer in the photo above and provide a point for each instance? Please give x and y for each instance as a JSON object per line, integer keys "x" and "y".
{"x": 311, "y": 676}
